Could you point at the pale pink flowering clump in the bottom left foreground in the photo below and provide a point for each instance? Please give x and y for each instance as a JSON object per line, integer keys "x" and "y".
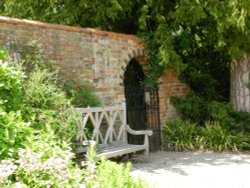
{"x": 35, "y": 171}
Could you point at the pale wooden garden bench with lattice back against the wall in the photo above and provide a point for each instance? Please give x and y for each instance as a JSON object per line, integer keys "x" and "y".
{"x": 109, "y": 131}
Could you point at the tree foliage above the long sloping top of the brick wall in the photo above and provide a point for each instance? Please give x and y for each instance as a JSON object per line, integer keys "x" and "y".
{"x": 85, "y": 13}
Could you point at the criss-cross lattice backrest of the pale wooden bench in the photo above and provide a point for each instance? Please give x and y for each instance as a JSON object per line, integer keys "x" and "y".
{"x": 107, "y": 124}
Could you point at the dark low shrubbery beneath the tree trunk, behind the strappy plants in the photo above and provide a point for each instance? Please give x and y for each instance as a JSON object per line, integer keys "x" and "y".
{"x": 198, "y": 110}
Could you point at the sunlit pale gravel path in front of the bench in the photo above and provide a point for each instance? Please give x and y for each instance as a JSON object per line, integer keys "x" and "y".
{"x": 193, "y": 170}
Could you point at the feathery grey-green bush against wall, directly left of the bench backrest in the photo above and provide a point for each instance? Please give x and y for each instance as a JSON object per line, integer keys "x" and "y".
{"x": 46, "y": 104}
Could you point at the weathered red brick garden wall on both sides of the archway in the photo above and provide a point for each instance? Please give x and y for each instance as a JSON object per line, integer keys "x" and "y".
{"x": 90, "y": 54}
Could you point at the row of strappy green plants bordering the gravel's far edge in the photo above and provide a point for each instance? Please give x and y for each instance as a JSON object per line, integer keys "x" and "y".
{"x": 184, "y": 135}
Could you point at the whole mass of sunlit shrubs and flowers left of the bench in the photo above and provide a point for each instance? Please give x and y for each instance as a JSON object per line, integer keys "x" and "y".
{"x": 36, "y": 135}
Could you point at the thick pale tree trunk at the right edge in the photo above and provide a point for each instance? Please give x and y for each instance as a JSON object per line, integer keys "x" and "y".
{"x": 240, "y": 79}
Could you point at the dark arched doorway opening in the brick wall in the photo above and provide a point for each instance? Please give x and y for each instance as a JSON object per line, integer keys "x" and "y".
{"x": 135, "y": 99}
